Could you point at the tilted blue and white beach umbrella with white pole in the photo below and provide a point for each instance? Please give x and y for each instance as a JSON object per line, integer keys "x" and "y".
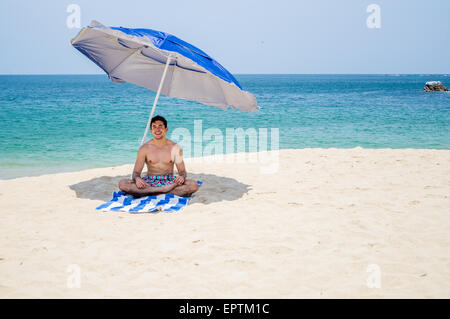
{"x": 163, "y": 63}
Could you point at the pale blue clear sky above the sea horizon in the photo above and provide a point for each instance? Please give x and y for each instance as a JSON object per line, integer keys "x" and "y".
{"x": 245, "y": 36}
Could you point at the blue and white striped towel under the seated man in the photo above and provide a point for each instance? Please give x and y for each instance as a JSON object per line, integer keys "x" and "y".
{"x": 149, "y": 204}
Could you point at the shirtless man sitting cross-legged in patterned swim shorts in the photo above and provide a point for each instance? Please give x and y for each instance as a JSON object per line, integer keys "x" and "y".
{"x": 160, "y": 154}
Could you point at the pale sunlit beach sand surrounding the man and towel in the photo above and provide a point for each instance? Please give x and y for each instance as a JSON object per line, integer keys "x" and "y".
{"x": 311, "y": 230}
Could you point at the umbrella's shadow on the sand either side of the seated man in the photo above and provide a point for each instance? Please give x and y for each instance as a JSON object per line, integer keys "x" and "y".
{"x": 214, "y": 189}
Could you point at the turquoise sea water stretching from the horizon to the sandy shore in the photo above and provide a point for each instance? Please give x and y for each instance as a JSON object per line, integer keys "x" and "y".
{"x": 53, "y": 123}
